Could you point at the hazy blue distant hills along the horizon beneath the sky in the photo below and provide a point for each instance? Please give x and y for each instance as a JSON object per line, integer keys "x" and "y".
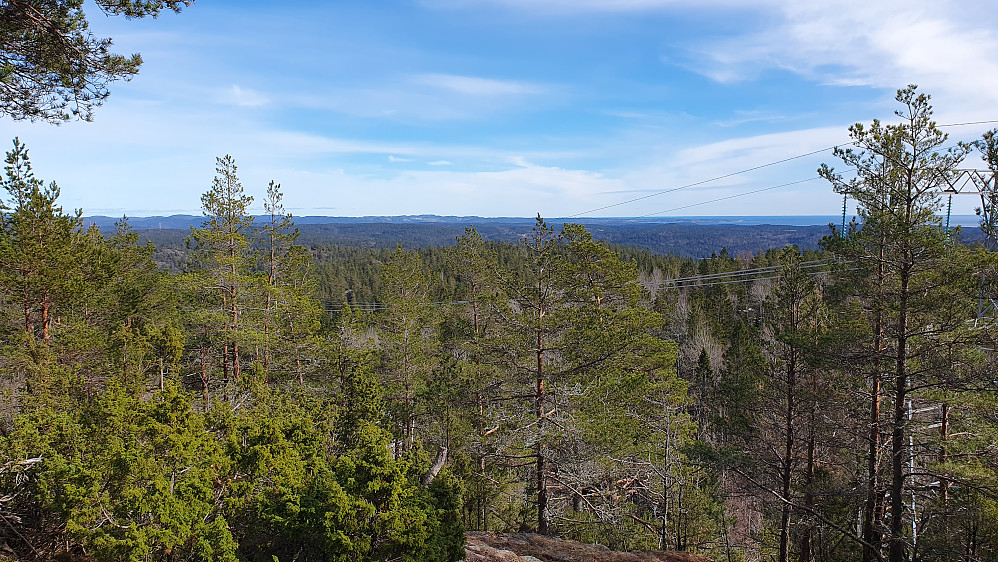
{"x": 695, "y": 237}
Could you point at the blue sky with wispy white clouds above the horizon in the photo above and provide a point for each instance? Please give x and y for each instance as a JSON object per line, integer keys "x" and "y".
{"x": 567, "y": 108}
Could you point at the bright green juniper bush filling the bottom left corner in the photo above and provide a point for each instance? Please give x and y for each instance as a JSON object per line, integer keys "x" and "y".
{"x": 125, "y": 478}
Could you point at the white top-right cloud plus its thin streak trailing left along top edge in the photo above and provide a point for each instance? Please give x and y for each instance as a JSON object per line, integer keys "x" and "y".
{"x": 947, "y": 47}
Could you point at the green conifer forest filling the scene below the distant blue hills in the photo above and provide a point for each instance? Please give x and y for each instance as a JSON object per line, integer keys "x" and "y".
{"x": 266, "y": 399}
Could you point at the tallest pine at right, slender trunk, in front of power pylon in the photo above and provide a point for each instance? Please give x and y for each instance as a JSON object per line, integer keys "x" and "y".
{"x": 902, "y": 253}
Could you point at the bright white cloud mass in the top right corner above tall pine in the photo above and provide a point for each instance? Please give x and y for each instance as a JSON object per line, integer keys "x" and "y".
{"x": 946, "y": 47}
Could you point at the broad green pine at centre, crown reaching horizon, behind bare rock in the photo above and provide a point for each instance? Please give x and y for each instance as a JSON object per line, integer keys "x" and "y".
{"x": 585, "y": 382}
